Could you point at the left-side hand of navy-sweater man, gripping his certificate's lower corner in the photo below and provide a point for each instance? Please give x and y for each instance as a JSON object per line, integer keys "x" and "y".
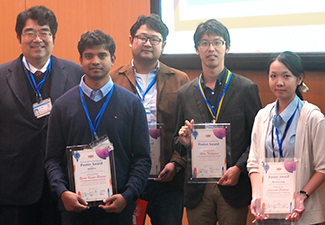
{"x": 73, "y": 202}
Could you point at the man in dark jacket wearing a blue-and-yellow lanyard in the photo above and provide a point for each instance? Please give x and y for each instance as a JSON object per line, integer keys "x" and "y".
{"x": 217, "y": 95}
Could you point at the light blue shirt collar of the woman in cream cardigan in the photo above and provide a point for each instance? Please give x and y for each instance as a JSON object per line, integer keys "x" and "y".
{"x": 285, "y": 116}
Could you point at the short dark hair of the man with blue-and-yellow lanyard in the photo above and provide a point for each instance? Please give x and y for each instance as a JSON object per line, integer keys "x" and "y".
{"x": 211, "y": 26}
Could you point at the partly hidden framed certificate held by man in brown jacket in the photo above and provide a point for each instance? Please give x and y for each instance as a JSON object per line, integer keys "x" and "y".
{"x": 155, "y": 131}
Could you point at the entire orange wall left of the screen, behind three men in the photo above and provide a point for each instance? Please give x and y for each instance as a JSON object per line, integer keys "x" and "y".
{"x": 75, "y": 18}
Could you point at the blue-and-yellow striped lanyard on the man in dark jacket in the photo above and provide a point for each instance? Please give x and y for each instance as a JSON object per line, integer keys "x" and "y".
{"x": 214, "y": 114}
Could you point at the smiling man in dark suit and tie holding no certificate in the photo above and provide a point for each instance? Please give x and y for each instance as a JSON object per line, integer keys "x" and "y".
{"x": 29, "y": 86}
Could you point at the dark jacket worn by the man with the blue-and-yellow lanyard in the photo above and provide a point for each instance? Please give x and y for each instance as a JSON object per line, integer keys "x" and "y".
{"x": 240, "y": 105}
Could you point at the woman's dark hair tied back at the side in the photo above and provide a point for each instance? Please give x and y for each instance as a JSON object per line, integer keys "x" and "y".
{"x": 293, "y": 62}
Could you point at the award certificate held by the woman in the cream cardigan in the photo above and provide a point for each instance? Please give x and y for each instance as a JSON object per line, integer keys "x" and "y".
{"x": 278, "y": 187}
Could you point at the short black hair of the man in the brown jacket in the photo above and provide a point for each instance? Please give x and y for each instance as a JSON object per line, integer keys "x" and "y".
{"x": 153, "y": 22}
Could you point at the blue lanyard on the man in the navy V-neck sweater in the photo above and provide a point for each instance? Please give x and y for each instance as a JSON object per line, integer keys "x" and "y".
{"x": 93, "y": 126}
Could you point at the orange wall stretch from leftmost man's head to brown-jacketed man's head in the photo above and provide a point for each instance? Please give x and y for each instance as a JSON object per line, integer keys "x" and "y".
{"x": 77, "y": 17}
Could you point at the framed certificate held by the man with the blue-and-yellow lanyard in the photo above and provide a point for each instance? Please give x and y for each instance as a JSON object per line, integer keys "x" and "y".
{"x": 209, "y": 152}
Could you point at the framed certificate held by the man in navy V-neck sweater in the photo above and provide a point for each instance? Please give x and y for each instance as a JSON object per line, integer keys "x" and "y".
{"x": 99, "y": 182}
